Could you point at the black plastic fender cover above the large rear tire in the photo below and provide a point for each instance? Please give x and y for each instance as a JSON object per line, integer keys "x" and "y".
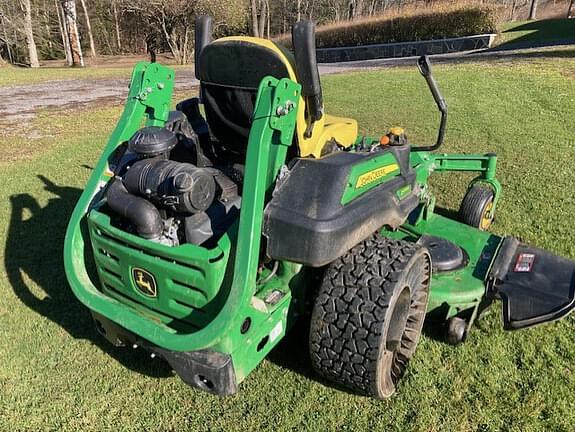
{"x": 305, "y": 222}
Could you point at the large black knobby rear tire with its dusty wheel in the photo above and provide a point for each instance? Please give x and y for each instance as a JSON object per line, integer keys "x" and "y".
{"x": 369, "y": 313}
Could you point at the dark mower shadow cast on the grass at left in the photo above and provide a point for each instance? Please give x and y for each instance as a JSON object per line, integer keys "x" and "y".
{"x": 34, "y": 256}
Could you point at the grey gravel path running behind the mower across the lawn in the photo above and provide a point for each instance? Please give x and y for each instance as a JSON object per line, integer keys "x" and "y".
{"x": 20, "y": 104}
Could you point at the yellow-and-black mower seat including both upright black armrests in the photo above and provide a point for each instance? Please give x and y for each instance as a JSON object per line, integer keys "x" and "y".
{"x": 230, "y": 70}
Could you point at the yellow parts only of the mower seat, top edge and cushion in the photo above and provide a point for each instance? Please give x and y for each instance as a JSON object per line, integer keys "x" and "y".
{"x": 340, "y": 129}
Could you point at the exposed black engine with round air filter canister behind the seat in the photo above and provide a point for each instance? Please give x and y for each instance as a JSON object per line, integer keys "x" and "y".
{"x": 167, "y": 190}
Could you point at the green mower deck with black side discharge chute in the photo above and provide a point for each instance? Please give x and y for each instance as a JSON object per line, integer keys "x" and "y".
{"x": 534, "y": 285}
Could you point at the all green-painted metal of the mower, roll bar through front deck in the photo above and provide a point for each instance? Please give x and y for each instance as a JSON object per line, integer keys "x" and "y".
{"x": 211, "y": 293}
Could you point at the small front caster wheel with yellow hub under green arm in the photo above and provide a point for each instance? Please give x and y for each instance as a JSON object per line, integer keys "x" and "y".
{"x": 477, "y": 207}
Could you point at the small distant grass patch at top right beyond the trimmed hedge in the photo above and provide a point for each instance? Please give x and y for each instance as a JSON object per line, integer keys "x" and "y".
{"x": 536, "y": 32}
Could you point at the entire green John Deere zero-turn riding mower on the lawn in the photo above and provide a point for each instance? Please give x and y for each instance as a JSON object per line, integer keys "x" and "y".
{"x": 205, "y": 233}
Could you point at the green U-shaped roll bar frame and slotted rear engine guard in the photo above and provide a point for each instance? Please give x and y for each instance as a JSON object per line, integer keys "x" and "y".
{"x": 221, "y": 282}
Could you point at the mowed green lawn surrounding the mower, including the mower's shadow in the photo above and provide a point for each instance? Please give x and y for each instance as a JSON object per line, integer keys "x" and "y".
{"x": 56, "y": 373}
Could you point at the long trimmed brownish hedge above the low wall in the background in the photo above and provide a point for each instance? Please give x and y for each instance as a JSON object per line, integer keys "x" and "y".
{"x": 426, "y": 25}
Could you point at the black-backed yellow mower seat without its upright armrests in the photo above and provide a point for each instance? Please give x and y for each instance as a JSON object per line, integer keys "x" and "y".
{"x": 230, "y": 70}
